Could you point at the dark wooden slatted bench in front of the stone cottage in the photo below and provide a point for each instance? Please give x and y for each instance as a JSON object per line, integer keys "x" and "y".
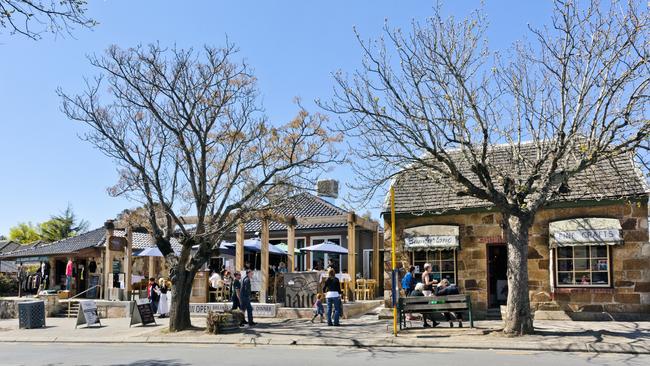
{"x": 426, "y": 305}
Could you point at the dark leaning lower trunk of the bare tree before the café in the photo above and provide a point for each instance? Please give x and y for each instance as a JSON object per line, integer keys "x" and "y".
{"x": 179, "y": 316}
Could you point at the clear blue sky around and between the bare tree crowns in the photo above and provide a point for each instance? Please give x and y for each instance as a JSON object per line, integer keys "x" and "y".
{"x": 294, "y": 46}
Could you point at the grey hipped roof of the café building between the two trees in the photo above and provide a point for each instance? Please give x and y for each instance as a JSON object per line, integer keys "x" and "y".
{"x": 301, "y": 205}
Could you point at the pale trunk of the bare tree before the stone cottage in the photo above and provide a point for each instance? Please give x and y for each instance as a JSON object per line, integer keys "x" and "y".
{"x": 519, "y": 320}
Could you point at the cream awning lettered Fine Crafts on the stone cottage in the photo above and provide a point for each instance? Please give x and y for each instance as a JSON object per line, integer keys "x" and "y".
{"x": 585, "y": 231}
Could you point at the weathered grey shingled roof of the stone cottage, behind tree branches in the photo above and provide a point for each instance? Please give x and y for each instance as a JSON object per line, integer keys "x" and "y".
{"x": 417, "y": 192}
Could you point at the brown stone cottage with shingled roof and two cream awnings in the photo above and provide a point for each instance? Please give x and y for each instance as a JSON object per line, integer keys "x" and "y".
{"x": 588, "y": 251}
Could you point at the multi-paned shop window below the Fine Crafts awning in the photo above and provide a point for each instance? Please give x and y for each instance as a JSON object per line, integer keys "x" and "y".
{"x": 583, "y": 266}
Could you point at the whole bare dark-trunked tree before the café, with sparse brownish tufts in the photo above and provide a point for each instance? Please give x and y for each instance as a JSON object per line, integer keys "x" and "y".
{"x": 189, "y": 136}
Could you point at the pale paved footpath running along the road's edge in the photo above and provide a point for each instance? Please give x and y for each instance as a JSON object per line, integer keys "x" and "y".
{"x": 364, "y": 332}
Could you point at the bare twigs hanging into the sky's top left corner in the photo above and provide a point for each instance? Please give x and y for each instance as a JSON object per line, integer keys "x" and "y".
{"x": 33, "y": 18}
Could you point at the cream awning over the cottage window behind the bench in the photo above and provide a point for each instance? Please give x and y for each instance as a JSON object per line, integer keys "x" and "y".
{"x": 431, "y": 237}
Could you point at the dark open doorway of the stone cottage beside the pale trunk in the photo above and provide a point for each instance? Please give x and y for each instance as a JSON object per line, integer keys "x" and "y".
{"x": 497, "y": 267}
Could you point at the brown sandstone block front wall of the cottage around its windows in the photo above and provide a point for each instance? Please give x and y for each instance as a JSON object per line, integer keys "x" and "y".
{"x": 630, "y": 262}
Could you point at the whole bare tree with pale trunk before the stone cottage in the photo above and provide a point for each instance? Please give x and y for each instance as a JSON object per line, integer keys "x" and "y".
{"x": 435, "y": 101}
